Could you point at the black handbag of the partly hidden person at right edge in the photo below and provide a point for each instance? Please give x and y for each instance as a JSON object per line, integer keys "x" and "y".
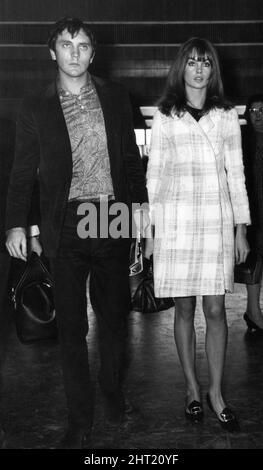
{"x": 250, "y": 271}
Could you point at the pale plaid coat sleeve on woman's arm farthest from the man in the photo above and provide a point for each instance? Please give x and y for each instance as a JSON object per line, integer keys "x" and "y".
{"x": 235, "y": 170}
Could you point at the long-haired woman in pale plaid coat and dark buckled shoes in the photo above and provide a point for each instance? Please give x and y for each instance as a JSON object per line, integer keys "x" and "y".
{"x": 197, "y": 195}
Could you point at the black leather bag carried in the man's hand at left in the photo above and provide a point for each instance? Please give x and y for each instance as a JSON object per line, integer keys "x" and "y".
{"x": 32, "y": 296}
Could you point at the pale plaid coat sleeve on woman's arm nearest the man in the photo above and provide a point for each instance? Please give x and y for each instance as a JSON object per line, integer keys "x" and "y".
{"x": 155, "y": 163}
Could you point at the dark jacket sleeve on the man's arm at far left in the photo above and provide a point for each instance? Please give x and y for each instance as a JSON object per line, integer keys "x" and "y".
{"x": 24, "y": 171}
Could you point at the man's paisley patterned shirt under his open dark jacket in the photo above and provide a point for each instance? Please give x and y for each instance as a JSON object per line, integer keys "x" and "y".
{"x": 91, "y": 176}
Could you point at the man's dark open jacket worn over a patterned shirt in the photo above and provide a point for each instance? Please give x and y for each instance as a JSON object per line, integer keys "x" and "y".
{"x": 42, "y": 141}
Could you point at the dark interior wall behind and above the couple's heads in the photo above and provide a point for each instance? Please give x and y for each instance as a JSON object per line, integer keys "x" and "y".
{"x": 137, "y": 41}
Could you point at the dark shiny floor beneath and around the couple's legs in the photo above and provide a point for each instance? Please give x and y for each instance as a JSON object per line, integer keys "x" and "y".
{"x": 34, "y": 403}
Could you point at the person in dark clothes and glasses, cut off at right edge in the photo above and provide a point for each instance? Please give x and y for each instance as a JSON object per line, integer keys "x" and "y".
{"x": 253, "y": 158}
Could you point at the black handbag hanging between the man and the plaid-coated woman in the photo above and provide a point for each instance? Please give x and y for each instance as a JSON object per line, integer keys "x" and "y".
{"x": 141, "y": 284}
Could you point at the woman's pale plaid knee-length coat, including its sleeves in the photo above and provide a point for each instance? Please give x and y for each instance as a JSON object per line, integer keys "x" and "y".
{"x": 197, "y": 194}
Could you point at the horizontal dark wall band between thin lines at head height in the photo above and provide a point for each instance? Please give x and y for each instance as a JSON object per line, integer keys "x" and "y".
{"x": 248, "y": 32}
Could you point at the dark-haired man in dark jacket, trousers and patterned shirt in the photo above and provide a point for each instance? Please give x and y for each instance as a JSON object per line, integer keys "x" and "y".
{"x": 78, "y": 134}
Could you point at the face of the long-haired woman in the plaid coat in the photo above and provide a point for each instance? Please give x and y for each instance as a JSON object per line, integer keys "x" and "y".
{"x": 197, "y": 71}
